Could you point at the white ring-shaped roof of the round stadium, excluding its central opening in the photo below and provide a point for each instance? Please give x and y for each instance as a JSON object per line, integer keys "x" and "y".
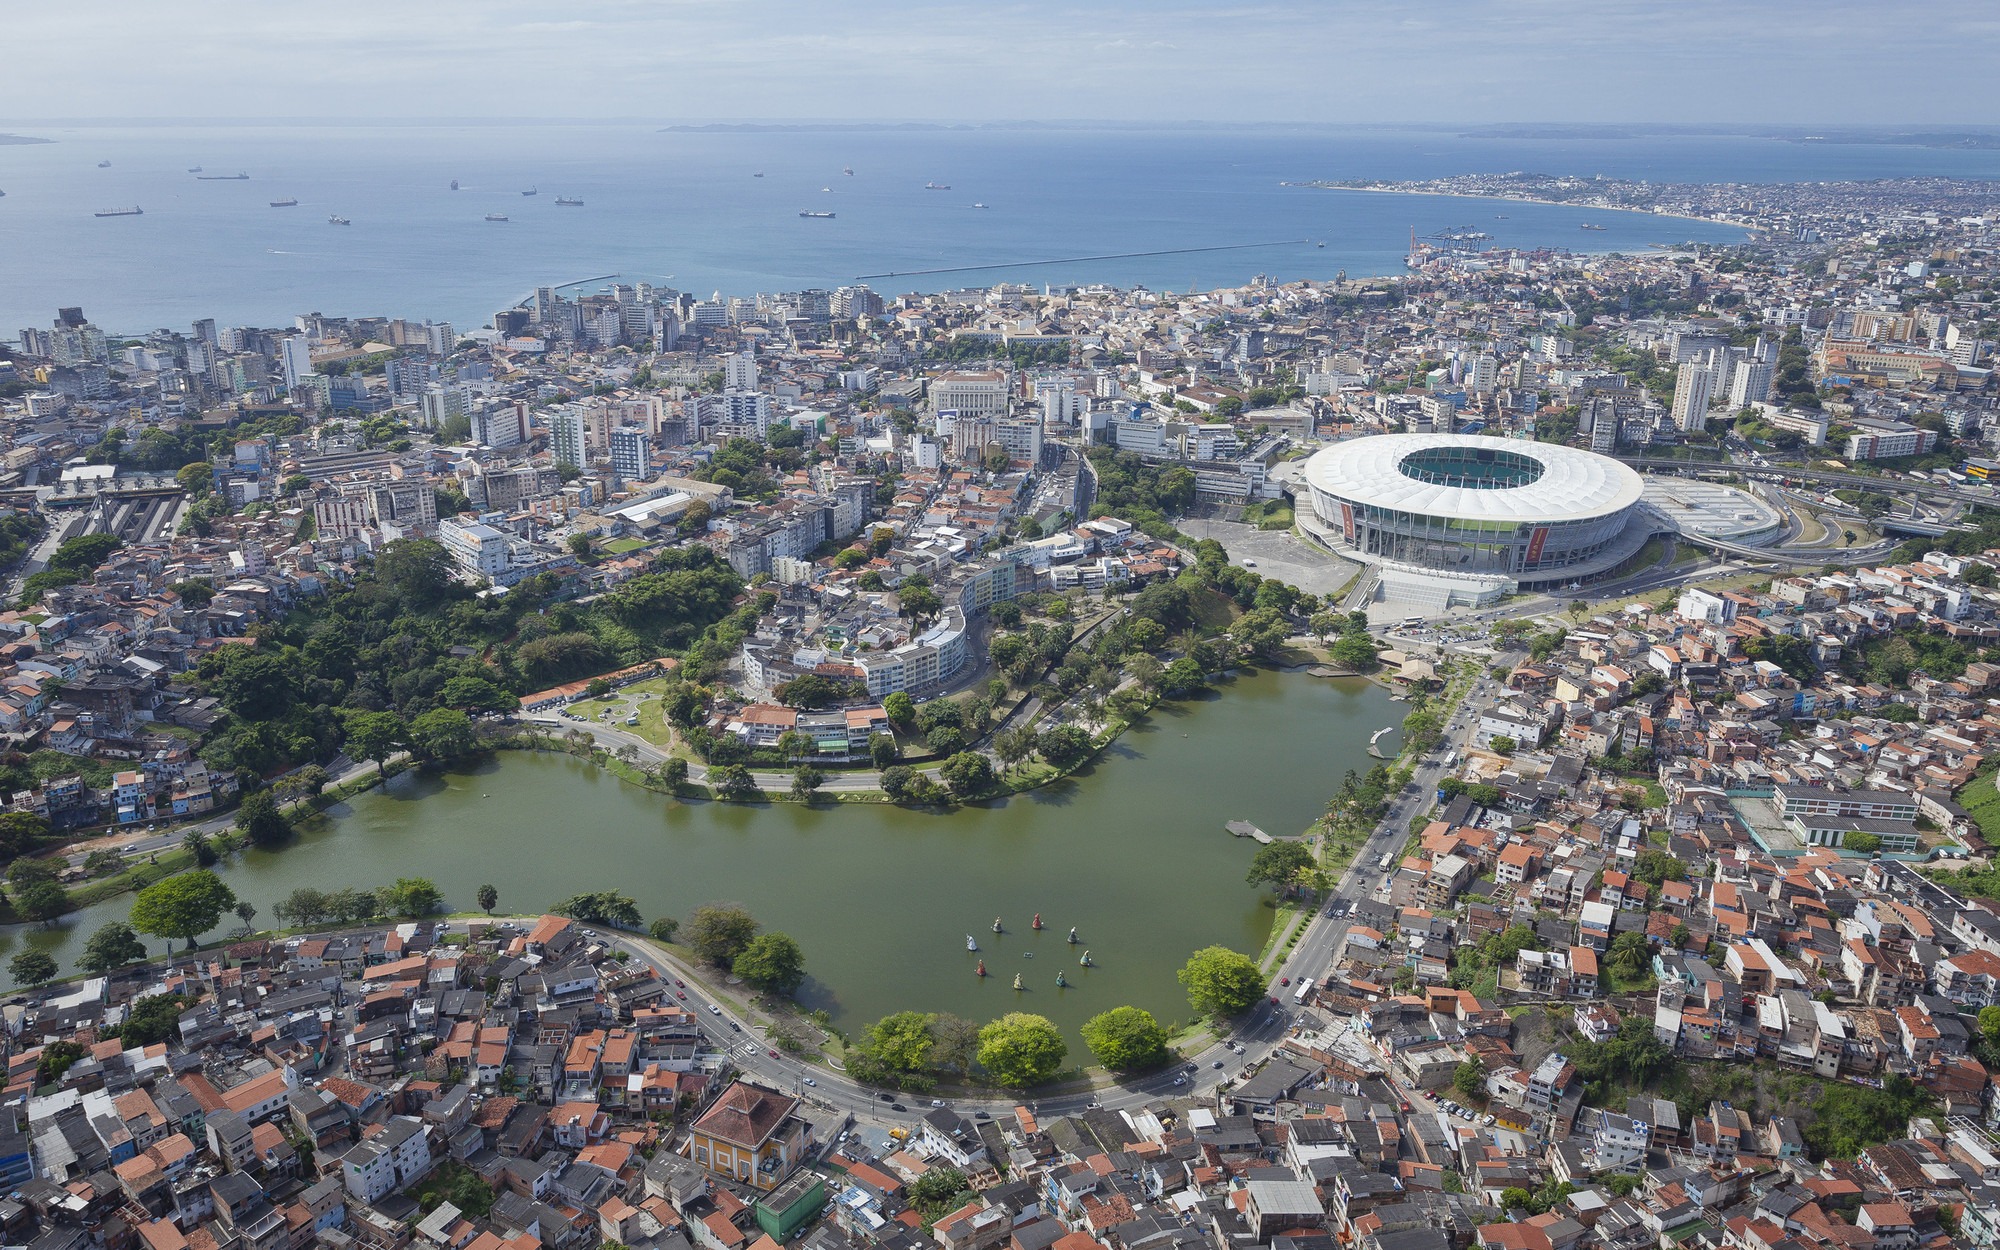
{"x": 1575, "y": 485}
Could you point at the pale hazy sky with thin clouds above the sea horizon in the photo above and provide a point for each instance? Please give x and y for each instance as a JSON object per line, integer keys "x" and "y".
{"x": 1301, "y": 61}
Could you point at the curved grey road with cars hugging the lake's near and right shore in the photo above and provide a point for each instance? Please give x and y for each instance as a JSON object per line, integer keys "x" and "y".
{"x": 1251, "y": 1043}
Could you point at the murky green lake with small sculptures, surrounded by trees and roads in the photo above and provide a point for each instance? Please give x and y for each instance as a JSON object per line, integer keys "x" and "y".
{"x": 1131, "y": 853}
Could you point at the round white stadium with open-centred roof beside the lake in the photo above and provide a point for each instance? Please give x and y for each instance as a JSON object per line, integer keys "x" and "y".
{"x": 1497, "y": 515}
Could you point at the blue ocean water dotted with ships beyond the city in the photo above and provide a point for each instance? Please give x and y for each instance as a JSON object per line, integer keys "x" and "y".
{"x": 687, "y": 209}
